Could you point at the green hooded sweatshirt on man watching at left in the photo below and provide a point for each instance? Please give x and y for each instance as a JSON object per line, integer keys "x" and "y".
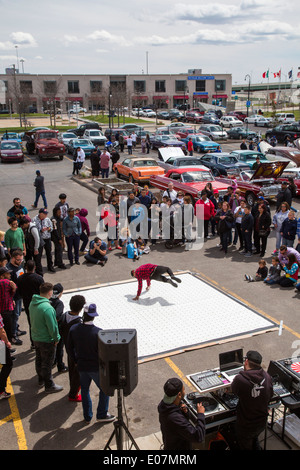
{"x": 44, "y": 327}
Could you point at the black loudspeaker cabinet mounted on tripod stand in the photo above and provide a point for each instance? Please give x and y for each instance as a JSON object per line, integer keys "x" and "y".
{"x": 118, "y": 361}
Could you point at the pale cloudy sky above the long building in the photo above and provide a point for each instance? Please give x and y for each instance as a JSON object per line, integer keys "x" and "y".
{"x": 162, "y": 36}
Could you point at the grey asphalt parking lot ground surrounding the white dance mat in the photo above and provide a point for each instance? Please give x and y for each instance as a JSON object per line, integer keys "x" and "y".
{"x": 35, "y": 421}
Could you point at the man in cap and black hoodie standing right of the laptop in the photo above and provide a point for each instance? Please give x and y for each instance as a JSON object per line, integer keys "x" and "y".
{"x": 253, "y": 387}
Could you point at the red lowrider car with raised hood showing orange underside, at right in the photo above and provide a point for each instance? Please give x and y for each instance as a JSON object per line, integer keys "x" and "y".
{"x": 264, "y": 179}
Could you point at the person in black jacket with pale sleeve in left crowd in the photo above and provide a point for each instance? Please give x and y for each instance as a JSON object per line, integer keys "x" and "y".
{"x": 32, "y": 243}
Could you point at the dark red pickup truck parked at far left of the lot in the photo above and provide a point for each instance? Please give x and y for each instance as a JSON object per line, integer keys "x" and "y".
{"x": 45, "y": 144}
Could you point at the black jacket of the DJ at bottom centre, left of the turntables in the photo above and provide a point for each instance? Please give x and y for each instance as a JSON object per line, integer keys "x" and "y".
{"x": 177, "y": 431}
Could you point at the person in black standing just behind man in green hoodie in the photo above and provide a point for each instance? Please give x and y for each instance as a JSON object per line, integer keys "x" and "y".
{"x": 29, "y": 284}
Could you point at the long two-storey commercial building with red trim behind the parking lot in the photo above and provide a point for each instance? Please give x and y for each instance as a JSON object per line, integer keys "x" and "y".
{"x": 94, "y": 92}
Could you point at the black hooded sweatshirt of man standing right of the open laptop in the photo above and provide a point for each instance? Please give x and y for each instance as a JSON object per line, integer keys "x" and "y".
{"x": 252, "y": 408}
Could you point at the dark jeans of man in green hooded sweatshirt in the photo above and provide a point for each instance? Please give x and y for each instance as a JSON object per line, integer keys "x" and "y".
{"x": 44, "y": 358}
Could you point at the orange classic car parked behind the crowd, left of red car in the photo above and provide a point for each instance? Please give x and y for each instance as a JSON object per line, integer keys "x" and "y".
{"x": 137, "y": 169}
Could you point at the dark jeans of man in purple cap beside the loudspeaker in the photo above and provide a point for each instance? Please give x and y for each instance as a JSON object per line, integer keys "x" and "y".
{"x": 85, "y": 381}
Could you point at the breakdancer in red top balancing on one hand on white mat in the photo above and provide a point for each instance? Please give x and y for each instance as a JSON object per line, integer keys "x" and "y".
{"x": 150, "y": 272}
